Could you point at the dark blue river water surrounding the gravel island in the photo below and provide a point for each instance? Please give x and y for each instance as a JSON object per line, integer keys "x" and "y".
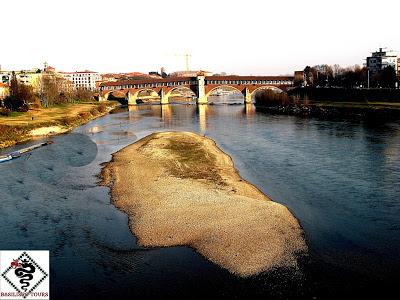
{"x": 340, "y": 178}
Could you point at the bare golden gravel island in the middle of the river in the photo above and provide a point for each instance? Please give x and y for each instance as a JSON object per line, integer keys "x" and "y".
{"x": 180, "y": 189}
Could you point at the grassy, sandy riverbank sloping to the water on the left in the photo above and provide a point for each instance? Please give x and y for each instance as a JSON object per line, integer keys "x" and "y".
{"x": 48, "y": 121}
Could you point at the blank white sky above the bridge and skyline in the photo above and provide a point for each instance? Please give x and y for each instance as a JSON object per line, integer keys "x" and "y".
{"x": 247, "y": 37}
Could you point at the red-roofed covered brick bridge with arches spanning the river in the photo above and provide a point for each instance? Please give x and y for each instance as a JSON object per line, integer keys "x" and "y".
{"x": 201, "y": 86}
